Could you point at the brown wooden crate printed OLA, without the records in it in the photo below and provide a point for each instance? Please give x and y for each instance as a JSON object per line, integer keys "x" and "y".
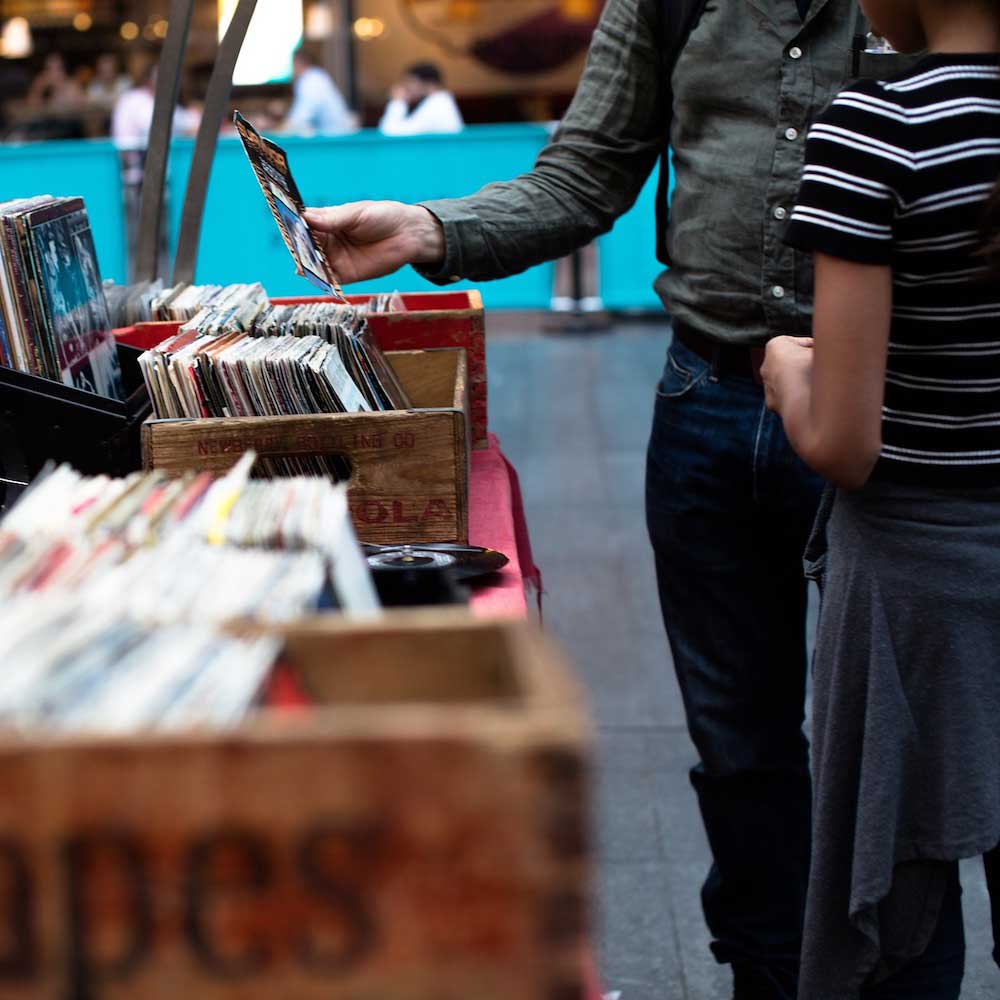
{"x": 410, "y": 468}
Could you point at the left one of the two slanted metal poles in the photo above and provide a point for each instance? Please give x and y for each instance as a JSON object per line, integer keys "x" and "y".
{"x": 154, "y": 177}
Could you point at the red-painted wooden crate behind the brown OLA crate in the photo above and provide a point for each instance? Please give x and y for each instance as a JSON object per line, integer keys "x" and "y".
{"x": 437, "y": 319}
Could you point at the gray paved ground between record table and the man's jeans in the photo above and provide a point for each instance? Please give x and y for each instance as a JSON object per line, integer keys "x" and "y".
{"x": 573, "y": 415}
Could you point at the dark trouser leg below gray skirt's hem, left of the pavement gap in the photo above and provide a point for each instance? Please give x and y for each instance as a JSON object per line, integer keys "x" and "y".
{"x": 937, "y": 973}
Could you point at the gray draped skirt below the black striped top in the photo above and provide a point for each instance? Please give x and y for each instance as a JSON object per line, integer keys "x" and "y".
{"x": 906, "y": 721}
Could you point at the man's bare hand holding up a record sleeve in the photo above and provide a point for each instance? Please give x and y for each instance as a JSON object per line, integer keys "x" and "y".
{"x": 369, "y": 239}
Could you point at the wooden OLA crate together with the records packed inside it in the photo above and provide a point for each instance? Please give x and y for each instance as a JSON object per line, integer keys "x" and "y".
{"x": 310, "y": 391}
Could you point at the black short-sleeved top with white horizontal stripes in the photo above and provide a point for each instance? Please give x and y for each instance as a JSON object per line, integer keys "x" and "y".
{"x": 898, "y": 172}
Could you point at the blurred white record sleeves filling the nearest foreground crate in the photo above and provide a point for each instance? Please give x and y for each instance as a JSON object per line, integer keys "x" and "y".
{"x": 113, "y": 593}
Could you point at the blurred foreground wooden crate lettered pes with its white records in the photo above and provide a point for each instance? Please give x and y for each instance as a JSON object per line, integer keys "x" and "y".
{"x": 291, "y": 807}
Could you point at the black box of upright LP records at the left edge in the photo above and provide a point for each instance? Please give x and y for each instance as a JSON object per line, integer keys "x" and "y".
{"x": 67, "y": 390}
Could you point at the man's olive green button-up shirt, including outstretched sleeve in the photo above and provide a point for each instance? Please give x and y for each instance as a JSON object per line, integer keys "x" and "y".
{"x": 750, "y": 80}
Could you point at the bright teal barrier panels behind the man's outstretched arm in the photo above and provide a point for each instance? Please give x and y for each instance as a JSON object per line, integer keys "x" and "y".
{"x": 240, "y": 241}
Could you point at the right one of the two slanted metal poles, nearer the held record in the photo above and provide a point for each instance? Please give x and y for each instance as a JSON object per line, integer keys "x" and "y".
{"x": 220, "y": 88}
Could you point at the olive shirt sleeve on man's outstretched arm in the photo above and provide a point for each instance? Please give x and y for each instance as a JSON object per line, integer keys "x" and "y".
{"x": 590, "y": 173}
